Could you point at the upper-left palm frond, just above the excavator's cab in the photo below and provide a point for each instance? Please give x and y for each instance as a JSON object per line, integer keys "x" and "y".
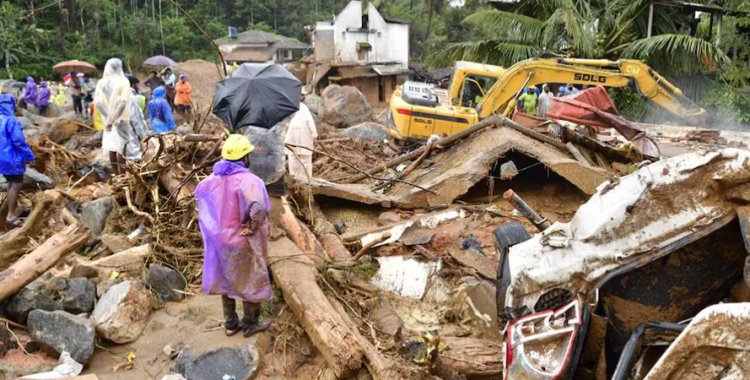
{"x": 499, "y": 24}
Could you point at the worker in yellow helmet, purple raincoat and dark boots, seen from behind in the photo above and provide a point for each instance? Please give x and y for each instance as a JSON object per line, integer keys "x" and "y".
{"x": 233, "y": 208}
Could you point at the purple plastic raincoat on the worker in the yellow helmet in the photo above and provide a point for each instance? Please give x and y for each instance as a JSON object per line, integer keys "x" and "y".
{"x": 234, "y": 265}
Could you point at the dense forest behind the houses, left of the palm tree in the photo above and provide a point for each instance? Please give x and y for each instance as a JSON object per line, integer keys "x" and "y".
{"x": 40, "y": 33}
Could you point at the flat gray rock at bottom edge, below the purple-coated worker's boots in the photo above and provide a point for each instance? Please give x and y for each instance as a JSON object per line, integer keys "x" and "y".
{"x": 240, "y": 362}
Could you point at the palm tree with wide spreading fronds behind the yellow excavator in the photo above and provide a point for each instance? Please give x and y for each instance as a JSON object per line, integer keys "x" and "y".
{"x": 577, "y": 28}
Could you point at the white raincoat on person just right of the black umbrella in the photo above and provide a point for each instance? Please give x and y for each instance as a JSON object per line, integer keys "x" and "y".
{"x": 301, "y": 132}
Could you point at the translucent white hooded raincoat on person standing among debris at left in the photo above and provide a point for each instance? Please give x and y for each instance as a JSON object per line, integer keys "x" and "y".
{"x": 112, "y": 101}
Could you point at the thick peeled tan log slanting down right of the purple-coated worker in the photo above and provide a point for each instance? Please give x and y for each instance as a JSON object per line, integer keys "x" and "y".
{"x": 295, "y": 274}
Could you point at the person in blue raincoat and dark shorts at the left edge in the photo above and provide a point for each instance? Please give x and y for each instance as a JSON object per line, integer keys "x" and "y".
{"x": 14, "y": 153}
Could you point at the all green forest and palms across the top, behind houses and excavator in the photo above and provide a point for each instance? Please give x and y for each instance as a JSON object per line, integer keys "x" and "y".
{"x": 707, "y": 60}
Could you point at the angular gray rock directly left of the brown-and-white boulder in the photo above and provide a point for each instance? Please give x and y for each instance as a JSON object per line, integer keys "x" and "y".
{"x": 63, "y": 332}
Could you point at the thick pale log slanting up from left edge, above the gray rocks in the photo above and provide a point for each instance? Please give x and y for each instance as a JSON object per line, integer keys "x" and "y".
{"x": 32, "y": 265}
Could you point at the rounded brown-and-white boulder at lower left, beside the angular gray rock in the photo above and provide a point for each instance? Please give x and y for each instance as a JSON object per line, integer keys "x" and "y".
{"x": 122, "y": 312}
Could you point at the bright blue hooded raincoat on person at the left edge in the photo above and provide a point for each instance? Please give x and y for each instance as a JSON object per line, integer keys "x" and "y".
{"x": 14, "y": 150}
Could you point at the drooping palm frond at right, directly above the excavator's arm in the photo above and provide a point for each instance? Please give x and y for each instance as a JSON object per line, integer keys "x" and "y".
{"x": 677, "y": 53}
